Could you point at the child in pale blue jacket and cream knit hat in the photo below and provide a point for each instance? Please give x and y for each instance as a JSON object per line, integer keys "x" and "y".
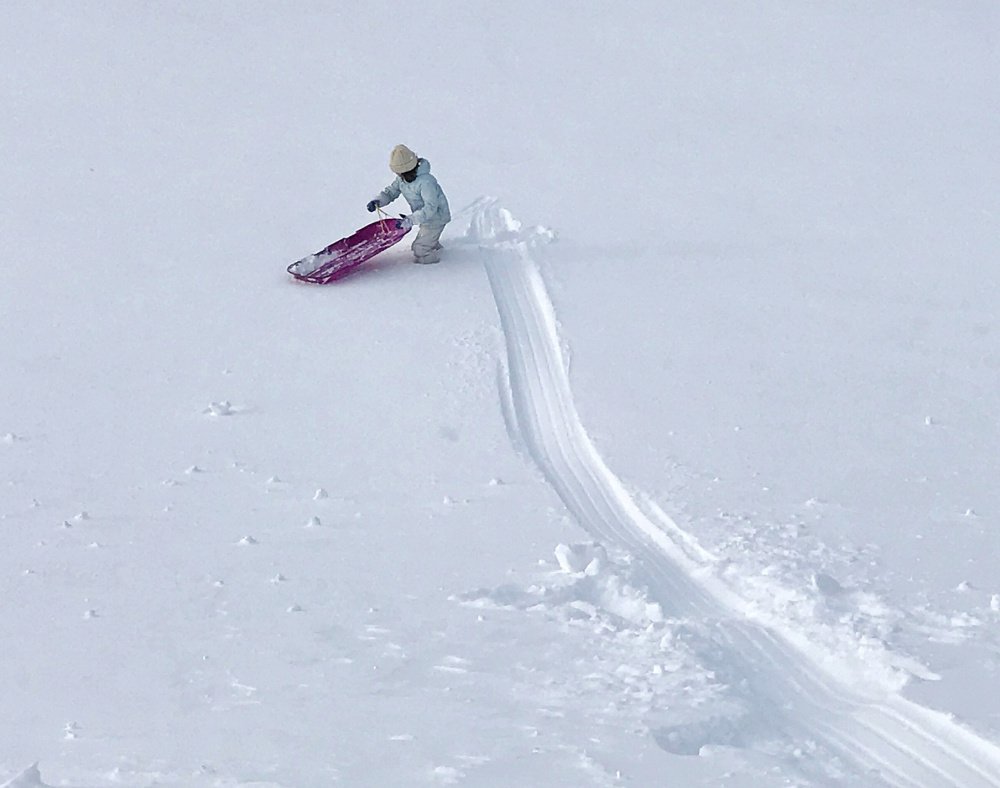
{"x": 427, "y": 202}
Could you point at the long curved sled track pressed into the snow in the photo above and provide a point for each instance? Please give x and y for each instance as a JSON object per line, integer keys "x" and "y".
{"x": 870, "y": 736}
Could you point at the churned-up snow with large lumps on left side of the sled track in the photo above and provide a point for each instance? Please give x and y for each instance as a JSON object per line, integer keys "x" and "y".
{"x": 643, "y": 671}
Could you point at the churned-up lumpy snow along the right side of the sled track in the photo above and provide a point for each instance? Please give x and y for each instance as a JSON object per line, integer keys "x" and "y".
{"x": 830, "y": 595}
